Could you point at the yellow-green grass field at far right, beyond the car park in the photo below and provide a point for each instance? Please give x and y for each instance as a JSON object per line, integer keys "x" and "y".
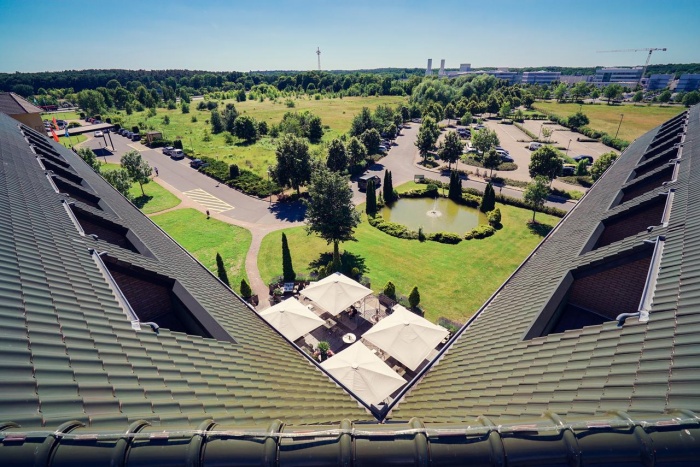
{"x": 638, "y": 119}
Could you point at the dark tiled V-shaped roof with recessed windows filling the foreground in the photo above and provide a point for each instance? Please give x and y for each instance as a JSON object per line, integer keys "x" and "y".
{"x": 542, "y": 371}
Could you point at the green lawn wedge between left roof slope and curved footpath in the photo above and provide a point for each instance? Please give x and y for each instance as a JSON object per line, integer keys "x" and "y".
{"x": 203, "y": 238}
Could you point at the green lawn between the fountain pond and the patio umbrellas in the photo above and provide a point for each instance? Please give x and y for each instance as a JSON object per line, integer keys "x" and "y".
{"x": 453, "y": 280}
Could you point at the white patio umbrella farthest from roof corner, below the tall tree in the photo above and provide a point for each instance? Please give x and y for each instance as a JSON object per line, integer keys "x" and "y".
{"x": 336, "y": 292}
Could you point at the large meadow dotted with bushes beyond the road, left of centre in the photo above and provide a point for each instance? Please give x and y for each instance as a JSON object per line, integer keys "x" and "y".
{"x": 335, "y": 113}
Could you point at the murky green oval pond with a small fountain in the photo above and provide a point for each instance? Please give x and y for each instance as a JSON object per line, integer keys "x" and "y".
{"x": 441, "y": 215}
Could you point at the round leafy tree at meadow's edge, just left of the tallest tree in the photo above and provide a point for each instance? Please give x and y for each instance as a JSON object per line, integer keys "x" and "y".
{"x": 293, "y": 162}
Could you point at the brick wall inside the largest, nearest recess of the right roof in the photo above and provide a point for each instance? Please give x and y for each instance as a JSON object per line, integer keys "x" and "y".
{"x": 612, "y": 291}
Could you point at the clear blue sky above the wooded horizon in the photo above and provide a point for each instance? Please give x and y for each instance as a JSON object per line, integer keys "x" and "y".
{"x": 283, "y": 34}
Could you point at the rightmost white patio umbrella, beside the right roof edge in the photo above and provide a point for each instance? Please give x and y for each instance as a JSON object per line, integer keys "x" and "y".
{"x": 406, "y": 336}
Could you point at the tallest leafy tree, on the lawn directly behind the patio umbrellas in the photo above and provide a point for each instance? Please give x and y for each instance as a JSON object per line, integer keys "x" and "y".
{"x": 330, "y": 212}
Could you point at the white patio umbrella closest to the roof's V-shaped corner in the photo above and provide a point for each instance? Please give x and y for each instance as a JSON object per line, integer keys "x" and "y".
{"x": 363, "y": 373}
